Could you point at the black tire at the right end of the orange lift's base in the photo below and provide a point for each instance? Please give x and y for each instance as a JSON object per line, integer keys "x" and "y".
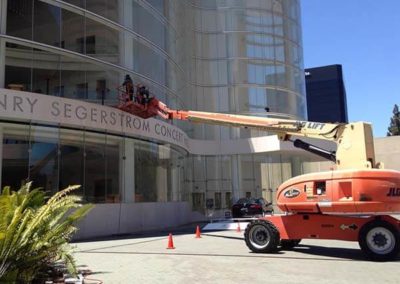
{"x": 379, "y": 240}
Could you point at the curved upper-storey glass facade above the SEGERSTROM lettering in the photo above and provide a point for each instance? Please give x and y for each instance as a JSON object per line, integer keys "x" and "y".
{"x": 82, "y": 49}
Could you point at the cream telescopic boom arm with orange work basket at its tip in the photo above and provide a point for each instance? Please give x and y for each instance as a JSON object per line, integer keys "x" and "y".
{"x": 355, "y": 147}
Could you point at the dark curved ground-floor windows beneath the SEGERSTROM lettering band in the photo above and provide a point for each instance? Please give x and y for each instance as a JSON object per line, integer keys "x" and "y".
{"x": 109, "y": 168}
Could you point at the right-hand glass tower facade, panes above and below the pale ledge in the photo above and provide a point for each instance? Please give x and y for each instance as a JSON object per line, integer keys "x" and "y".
{"x": 246, "y": 57}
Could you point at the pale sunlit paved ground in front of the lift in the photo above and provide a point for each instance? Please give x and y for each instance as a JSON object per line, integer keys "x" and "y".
{"x": 223, "y": 257}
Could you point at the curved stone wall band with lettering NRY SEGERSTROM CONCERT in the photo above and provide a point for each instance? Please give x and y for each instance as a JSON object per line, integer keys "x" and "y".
{"x": 25, "y": 106}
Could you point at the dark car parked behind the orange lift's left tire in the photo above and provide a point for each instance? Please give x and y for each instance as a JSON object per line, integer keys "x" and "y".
{"x": 250, "y": 207}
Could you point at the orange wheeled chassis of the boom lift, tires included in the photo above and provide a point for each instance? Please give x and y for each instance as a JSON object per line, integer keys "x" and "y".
{"x": 378, "y": 236}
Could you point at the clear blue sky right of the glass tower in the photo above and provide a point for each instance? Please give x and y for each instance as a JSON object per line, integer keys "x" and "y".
{"x": 364, "y": 37}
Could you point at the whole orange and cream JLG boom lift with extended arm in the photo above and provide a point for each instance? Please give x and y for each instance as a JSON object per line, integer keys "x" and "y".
{"x": 351, "y": 203}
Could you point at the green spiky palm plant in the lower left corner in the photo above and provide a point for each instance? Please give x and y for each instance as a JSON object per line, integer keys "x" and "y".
{"x": 35, "y": 231}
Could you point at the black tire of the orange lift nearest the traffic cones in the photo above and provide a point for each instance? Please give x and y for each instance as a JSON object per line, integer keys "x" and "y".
{"x": 262, "y": 236}
